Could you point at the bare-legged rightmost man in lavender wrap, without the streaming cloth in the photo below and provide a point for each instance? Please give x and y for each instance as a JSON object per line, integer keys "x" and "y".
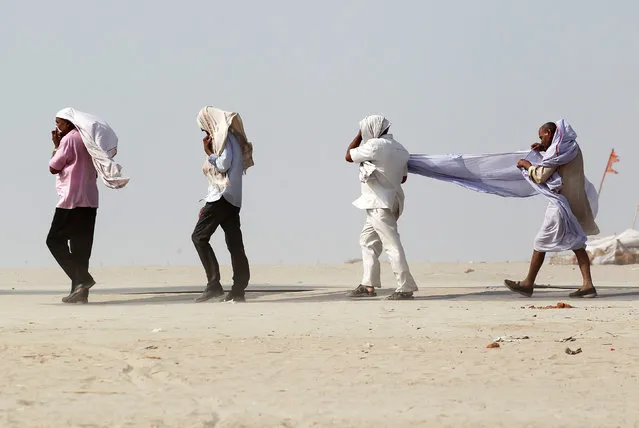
{"x": 561, "y": 169}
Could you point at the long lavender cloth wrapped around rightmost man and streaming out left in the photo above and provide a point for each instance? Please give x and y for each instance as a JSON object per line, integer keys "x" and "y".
{"x": 498, "y": 174}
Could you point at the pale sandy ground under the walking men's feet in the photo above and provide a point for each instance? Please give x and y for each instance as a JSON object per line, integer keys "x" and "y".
{"x": 315, "y": 359}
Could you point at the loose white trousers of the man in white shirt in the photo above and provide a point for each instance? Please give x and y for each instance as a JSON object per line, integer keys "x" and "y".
{"x": 380, "y": 232}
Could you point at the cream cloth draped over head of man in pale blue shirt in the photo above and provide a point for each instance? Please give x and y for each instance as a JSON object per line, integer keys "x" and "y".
{"x": 217, "y": 123}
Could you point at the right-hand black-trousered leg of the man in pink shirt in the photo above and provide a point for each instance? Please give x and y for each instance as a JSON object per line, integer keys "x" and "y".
{"x": 81, "y": 244}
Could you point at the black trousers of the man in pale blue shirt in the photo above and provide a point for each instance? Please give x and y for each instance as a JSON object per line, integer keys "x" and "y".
{"x": 224, "y": 214}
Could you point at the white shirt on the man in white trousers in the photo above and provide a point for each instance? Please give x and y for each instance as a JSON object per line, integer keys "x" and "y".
{"x": 383, "y": 189}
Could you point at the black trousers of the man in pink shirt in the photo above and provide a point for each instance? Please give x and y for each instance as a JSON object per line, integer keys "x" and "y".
{"x": 70, "y": 240}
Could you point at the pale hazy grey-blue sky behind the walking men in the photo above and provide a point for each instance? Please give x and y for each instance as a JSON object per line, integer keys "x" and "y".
{"x": 452, "y": 76}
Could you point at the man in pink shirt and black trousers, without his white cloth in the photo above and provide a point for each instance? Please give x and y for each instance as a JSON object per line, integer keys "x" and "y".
{"x": 70, "y": 238}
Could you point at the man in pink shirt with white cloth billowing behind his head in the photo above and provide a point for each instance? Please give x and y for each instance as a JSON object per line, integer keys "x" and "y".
{"x": 84, "y": 146}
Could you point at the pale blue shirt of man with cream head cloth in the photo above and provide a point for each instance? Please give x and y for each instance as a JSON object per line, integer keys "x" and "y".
{"x": 230, "y": 161}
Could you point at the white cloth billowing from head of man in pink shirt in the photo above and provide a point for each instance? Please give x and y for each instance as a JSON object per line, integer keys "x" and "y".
{"x": 101, "y": 143}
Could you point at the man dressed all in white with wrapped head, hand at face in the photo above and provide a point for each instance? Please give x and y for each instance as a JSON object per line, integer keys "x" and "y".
{"x": 383, "y": 169}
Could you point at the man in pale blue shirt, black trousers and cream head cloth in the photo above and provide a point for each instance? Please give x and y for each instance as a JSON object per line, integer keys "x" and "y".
{"x": 228, "y": 156}
